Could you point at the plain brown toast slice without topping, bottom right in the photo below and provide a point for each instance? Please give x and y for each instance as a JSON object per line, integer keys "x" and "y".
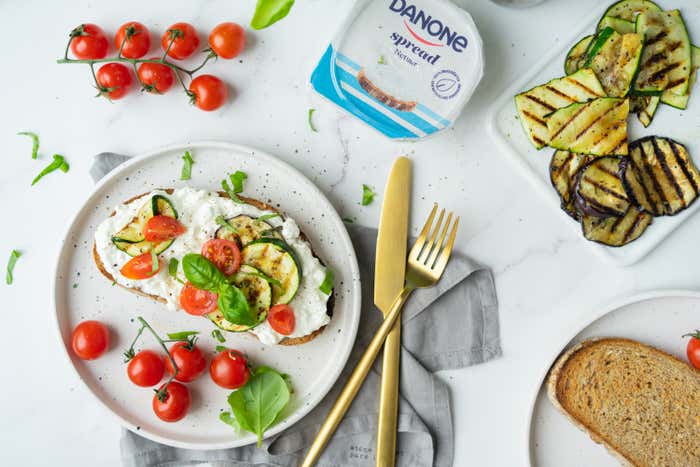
{"x": 641, "y": 403}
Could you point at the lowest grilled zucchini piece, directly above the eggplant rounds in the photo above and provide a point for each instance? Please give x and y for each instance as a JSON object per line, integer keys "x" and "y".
{"x": 598, "y": 127}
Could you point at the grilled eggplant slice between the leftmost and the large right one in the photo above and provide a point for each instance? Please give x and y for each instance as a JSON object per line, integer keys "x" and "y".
{"x": 599, "y": 189}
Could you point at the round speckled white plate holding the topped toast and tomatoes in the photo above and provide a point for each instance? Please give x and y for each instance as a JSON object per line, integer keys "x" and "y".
{"x": 81, "y": 293}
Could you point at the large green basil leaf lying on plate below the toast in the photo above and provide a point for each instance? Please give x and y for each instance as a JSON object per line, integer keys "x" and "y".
{"x": 258, "y": 404}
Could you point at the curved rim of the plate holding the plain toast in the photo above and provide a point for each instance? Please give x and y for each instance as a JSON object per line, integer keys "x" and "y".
{"x": 576, "y": 328}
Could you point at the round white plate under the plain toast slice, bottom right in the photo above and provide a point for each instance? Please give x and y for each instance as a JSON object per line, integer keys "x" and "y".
{"x": 656, "y": 318}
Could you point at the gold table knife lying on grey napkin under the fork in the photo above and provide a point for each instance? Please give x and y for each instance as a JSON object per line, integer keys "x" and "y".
{"x": 389, "y": 278}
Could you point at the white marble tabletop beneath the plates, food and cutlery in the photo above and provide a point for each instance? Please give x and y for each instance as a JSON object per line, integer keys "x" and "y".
{"x": 547, "y": 278}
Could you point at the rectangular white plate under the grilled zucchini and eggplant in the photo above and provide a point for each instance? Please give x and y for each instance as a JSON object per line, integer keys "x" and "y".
{"x": 534, "y": 165}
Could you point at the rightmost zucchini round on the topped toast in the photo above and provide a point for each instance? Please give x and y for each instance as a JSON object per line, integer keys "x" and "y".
{"x": 277, "y": 260}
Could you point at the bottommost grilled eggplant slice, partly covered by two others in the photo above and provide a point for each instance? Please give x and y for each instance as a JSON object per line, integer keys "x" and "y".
{"x": 617, "y": 230}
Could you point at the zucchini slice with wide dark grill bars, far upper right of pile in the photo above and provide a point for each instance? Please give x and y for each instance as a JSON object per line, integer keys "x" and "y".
{"x": 666, "y": 60}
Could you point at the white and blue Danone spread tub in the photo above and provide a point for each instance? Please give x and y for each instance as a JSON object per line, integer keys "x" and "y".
{"x": 404, "y": 67}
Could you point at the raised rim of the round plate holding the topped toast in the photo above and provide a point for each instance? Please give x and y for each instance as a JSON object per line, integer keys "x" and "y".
{"x": 354, "y": 307}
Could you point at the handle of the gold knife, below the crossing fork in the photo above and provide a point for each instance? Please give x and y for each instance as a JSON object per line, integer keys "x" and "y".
{"x": 389, "y": 399}
